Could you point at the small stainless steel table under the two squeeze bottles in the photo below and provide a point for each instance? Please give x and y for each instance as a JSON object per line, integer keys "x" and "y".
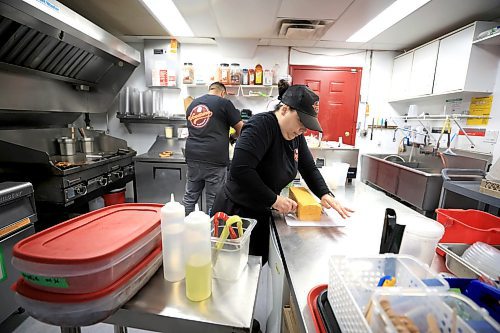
{"x": 162, "y": 306}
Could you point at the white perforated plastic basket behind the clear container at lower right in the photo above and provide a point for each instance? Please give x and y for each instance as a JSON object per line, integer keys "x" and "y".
{"x": 352, "y": 281}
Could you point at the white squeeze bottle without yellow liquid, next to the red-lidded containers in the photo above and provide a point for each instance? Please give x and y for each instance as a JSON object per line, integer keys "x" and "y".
{"x": 172, "y": 234}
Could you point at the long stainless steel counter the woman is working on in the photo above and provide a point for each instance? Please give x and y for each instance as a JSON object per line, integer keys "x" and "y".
{"x": 305, "y": 250}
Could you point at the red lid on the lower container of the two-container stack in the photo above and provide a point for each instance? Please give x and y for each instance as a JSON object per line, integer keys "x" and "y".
{"x": 26, "y": 290}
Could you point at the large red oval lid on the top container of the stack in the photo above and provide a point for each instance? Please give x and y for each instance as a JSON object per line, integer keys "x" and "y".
{"x": 91, "y": 237}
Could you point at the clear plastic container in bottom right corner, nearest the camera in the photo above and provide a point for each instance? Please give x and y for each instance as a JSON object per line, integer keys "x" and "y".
{"x": 430, "y": 312}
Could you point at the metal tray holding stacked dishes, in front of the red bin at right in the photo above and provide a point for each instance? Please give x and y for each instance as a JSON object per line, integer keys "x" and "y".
{"x": 463, "y": 268}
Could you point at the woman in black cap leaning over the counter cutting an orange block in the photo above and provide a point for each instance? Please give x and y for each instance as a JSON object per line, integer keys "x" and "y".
{"x": 270, "y": 150}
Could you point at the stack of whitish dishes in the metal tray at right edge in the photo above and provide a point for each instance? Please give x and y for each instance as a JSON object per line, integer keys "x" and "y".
{"x": 485, "y": 257}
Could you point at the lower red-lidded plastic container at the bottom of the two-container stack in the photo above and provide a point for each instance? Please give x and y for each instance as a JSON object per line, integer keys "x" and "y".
{"x": 86, "y": 309}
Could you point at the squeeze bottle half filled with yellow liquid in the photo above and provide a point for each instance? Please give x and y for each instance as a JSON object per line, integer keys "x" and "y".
{"x": 198, "y": 256}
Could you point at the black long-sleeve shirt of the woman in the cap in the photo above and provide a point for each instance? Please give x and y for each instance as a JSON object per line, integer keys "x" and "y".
{"x": 264, "y": 163}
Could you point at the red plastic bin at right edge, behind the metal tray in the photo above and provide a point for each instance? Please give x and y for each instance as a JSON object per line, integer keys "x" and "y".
{"x": 469, "y": 226}
